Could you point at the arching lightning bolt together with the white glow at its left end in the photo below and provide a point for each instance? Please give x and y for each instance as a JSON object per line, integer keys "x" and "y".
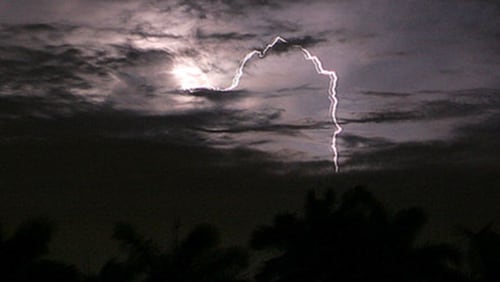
{"x": 191, "y": 78}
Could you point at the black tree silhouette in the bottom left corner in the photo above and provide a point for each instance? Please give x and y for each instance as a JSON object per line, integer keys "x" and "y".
{"x": 22, "y": 256}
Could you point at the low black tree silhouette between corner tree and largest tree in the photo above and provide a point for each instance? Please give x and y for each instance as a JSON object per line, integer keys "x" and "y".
{"x": 196, "y": 258}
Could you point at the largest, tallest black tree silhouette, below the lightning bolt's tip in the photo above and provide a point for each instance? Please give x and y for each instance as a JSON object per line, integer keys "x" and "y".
{"x": 356, "y": 240}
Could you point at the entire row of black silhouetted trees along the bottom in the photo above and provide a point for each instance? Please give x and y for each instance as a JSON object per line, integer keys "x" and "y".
{"x": 353, "y": 238}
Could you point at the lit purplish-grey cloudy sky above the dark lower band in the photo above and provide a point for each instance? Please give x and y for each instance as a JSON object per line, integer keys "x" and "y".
{"x": 410, "y": 71}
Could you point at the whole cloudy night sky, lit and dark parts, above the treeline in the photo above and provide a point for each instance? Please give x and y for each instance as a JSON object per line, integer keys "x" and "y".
{"x": 96, "y": 127}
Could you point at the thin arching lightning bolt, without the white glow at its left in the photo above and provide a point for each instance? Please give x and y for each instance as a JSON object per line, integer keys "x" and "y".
{"x": 332, "y": 89}
